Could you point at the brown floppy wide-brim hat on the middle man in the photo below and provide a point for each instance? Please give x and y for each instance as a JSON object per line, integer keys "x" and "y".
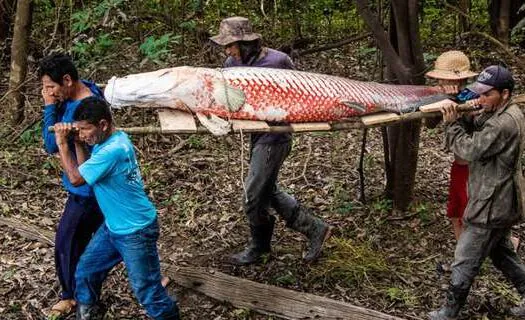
{"x": 235, "y": 29}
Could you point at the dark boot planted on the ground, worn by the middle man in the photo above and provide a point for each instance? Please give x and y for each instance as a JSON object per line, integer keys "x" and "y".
{"x": 258, "y": 247}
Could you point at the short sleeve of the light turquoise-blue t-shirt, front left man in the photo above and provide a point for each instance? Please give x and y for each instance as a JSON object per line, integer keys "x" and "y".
{"x": 99, "y": 165}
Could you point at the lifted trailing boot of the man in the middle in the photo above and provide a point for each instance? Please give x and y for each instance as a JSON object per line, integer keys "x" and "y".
{"x": 316, "y": 230}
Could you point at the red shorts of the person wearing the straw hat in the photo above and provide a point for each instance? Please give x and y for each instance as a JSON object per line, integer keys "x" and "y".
{"x": 457, "y": 190}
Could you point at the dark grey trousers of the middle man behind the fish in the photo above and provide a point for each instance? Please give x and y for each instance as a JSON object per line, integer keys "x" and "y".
{"x": 262, "y": 191}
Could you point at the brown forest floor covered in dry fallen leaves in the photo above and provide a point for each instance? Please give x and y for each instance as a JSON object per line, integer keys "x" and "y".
{"x": 377, "y": 258}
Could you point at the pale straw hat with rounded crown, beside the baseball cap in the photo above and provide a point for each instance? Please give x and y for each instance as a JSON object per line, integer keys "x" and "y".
{"x": 451, "y": 65}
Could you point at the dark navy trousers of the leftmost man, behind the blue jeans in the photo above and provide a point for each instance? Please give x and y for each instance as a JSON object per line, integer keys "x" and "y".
{"x": 81, "y": 218}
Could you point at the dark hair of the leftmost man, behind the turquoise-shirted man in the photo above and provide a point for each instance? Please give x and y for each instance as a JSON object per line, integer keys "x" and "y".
{"x": 56, "y": 66}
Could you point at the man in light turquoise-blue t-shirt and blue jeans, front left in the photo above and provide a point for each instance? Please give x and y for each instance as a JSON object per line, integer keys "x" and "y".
{"x": 130, "y": 231}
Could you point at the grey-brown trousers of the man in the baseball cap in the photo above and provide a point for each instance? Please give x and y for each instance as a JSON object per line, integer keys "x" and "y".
{"x": 474, "y": 246}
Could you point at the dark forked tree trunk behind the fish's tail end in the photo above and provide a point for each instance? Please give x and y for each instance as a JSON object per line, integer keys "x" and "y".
{"x": 404, "y": 59}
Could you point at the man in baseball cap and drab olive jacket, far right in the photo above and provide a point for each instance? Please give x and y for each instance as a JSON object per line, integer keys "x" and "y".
{"x": 492, "y": 144}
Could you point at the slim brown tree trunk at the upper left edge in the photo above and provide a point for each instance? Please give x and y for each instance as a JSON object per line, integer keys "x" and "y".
{"x": 19, "y": 60}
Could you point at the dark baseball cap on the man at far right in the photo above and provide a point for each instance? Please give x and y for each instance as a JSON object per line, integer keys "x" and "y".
{"x": 493, "y": 77}
